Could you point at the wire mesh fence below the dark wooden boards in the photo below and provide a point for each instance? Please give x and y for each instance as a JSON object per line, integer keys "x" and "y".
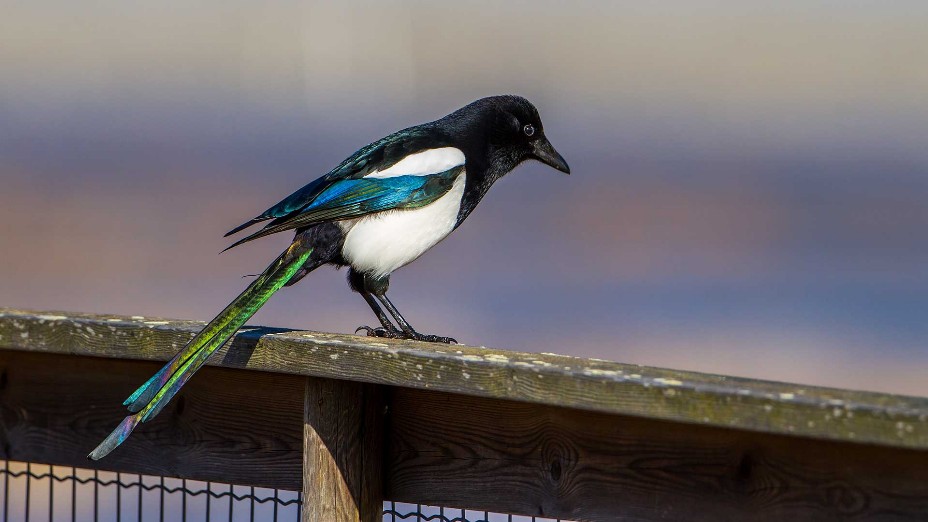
{"x": 39, "y": 492}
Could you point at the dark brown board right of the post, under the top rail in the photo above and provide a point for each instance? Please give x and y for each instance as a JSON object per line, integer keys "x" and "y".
{"x": 530, "y": 459}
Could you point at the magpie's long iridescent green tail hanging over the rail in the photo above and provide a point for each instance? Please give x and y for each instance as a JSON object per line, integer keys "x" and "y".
{"x": 147, "y": 401}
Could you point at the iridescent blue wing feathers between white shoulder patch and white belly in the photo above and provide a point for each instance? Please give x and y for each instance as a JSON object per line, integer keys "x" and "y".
{"x": 352, "y": 198}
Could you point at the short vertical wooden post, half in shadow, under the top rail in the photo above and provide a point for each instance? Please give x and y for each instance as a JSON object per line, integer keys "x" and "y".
{"x": 342, "y": 451}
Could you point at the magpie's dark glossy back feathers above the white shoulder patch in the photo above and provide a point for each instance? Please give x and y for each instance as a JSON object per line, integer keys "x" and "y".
{"x": 379, "y": 155}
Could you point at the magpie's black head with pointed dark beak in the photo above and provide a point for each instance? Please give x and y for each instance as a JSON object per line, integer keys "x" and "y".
{"x": 509, "y": 130}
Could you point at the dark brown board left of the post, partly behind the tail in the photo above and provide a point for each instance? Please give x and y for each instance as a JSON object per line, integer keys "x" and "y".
{"x": 226, "y": 425}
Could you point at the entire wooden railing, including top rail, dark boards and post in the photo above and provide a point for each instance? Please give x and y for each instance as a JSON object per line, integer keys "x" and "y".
{"x": 352, "y": 420}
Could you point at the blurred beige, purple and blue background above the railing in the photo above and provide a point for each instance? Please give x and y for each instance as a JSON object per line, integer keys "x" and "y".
{"x": 749, "y": 192}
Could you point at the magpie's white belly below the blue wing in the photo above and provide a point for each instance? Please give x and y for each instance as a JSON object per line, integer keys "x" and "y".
{"x": 380, "y": 243}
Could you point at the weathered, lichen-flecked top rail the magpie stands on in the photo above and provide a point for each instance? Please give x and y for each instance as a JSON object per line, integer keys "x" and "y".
{"x": 685, "y": 397}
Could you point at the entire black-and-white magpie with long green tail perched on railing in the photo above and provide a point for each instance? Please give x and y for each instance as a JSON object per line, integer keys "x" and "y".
{"x": 375, "y": 212}
